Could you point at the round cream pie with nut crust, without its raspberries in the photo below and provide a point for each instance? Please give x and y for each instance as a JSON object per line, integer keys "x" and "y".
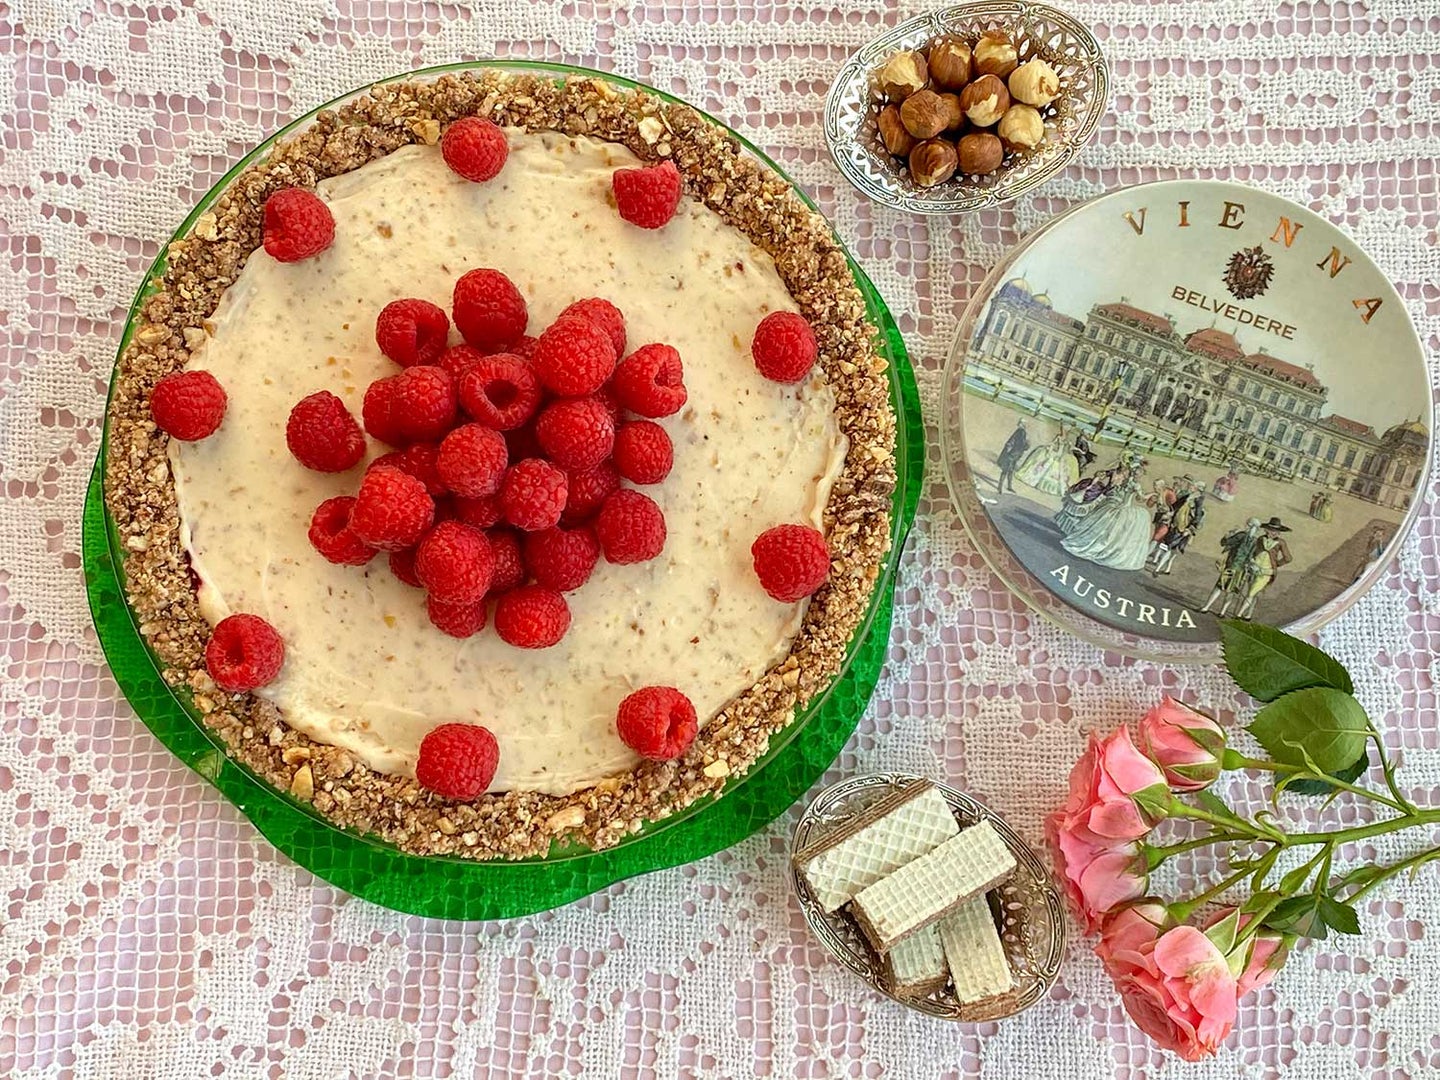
{"x": 218, "y": 526}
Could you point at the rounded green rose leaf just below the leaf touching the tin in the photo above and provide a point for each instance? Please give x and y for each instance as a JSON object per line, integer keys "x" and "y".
{"x": 1321, "y": 724}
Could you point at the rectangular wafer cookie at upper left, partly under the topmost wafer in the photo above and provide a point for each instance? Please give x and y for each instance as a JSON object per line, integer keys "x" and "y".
{"x": 889, "y": 834}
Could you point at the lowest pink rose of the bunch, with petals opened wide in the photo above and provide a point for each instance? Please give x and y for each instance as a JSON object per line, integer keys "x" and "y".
{"x": 1179, "y": 991}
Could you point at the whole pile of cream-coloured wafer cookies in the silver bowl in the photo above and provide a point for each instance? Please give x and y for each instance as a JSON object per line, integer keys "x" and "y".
{"x": 918, "y": 886}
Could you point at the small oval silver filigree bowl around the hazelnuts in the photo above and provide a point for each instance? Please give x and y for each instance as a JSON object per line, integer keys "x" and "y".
{"x": 852, "y": 109}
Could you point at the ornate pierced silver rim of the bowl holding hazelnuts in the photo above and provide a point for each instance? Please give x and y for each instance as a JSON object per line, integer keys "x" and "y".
{"x": 948, "y": 199}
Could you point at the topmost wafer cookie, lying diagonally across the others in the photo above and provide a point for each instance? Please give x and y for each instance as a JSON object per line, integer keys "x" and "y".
{"x": 927, "y": 891}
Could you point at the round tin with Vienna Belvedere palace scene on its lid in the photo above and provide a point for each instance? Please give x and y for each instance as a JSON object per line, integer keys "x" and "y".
{"x": 1182, "y": 402}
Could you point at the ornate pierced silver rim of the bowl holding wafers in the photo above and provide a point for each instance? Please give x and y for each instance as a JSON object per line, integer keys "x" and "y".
{"x": 866, "y": 966}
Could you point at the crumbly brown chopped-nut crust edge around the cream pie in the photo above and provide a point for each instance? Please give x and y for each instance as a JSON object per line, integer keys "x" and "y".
{"x": 142, "y": 500}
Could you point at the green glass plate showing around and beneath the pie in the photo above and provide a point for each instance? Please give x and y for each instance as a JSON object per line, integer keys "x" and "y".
{"x": 451, "y": 888}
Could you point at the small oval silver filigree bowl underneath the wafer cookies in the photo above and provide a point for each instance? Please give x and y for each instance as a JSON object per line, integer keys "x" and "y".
{"x": 1032, "y": 915}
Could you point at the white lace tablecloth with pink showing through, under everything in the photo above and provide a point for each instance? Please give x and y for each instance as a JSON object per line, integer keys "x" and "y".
{"x": 148, "y": 931}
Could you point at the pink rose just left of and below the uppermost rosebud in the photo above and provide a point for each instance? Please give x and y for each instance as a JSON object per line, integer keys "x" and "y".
{"x": 1117, "y": 793}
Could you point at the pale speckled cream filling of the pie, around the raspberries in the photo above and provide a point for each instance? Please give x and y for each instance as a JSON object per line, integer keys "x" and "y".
{"x": 364, "y": 667}
